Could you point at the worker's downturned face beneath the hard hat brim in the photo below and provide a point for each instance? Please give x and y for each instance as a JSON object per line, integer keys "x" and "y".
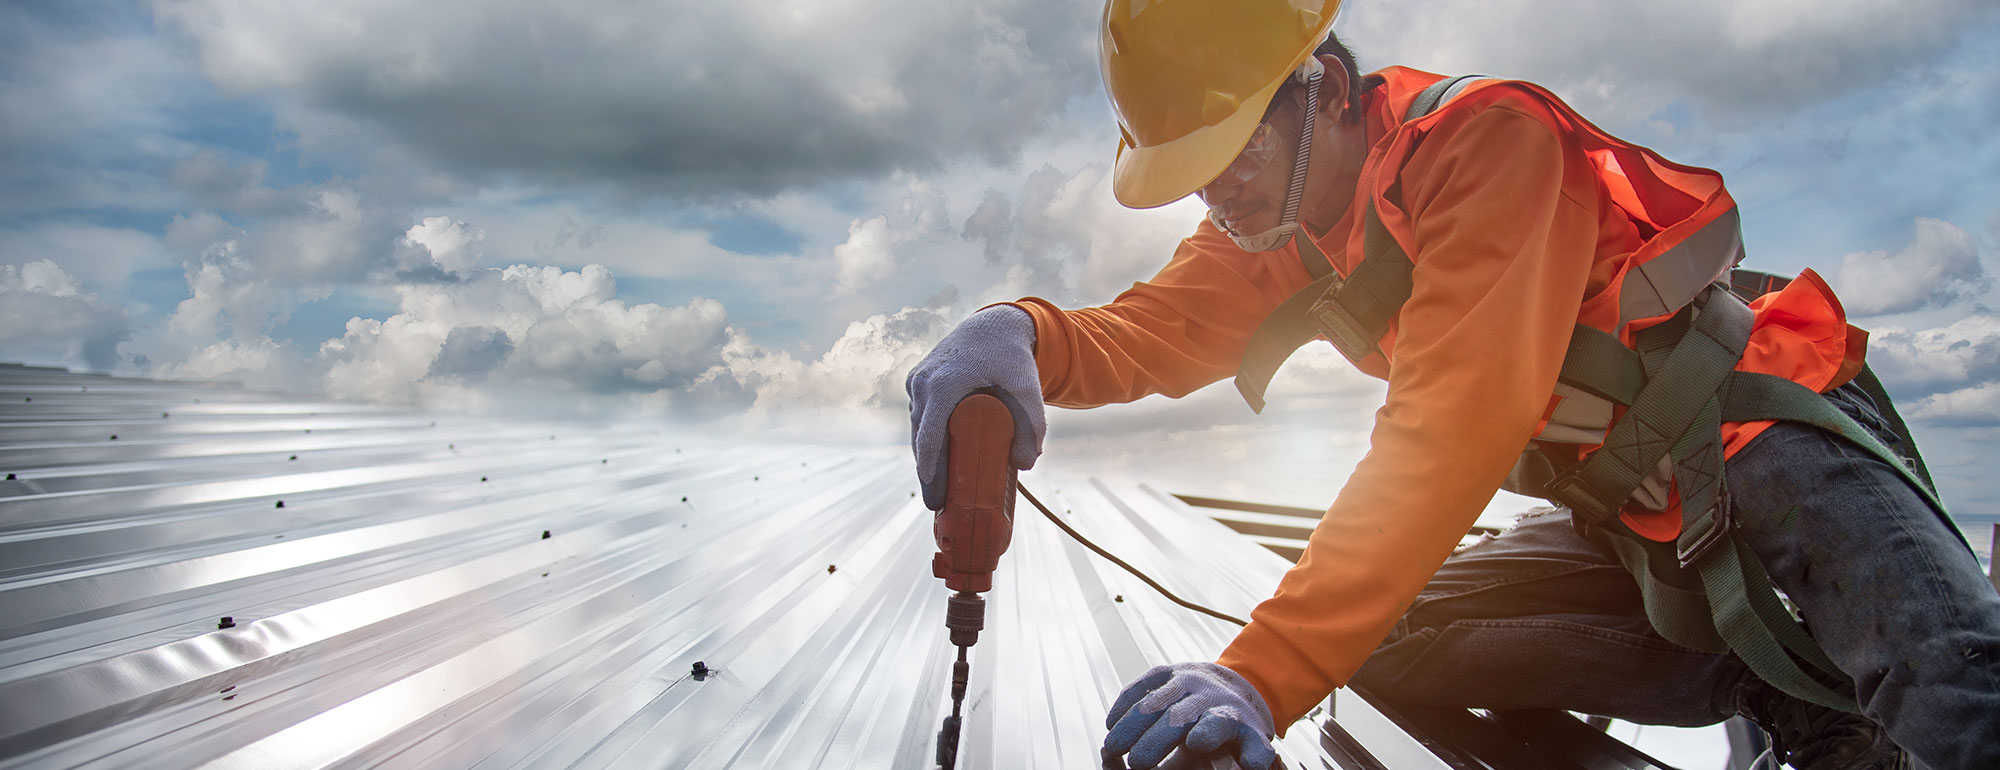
{"x": 1249, "y": 197}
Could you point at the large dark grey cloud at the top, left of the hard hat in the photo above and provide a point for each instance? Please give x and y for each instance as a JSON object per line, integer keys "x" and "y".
{"x": 693, "y": 99}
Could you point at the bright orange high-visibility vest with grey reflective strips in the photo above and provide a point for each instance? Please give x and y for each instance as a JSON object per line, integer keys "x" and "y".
{"x": 1691, "y": 243}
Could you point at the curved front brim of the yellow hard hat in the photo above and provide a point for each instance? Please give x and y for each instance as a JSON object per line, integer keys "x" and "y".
{"x": 1151, "y": 177}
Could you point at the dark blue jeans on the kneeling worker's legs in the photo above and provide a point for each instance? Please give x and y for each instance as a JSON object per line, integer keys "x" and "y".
{"x": 1543, "y": 617}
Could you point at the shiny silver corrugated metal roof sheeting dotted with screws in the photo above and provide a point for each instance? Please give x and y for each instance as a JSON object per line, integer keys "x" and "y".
{"x": 421, "y": 591}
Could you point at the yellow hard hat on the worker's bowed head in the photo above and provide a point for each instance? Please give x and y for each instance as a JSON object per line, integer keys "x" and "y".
{"x": 1191, "y": 79}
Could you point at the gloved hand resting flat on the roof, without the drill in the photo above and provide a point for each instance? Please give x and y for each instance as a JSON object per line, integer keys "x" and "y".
{"x": 1203, "y": 707}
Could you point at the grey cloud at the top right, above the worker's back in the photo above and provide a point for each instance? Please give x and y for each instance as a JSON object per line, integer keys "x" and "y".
{"x": 1735, "y": 63}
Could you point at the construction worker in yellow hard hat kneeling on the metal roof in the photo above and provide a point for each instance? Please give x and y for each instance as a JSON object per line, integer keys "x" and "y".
{"x": 1525, "y": 283}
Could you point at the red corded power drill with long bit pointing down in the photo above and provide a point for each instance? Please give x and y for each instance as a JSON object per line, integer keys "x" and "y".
{"x": 973, "y": 531}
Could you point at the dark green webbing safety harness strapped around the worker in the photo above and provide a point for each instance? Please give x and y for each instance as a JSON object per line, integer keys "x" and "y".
{"x": 1679, "y": 385}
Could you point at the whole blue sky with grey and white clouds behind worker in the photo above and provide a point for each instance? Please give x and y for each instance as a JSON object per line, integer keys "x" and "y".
{"x": 753, "y": 219}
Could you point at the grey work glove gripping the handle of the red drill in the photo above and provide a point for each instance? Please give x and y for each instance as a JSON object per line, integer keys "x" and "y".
{"x": 989, "y": 353}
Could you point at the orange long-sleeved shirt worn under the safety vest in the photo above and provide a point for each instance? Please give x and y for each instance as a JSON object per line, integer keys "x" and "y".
{"x": 1513, "y": 233}
